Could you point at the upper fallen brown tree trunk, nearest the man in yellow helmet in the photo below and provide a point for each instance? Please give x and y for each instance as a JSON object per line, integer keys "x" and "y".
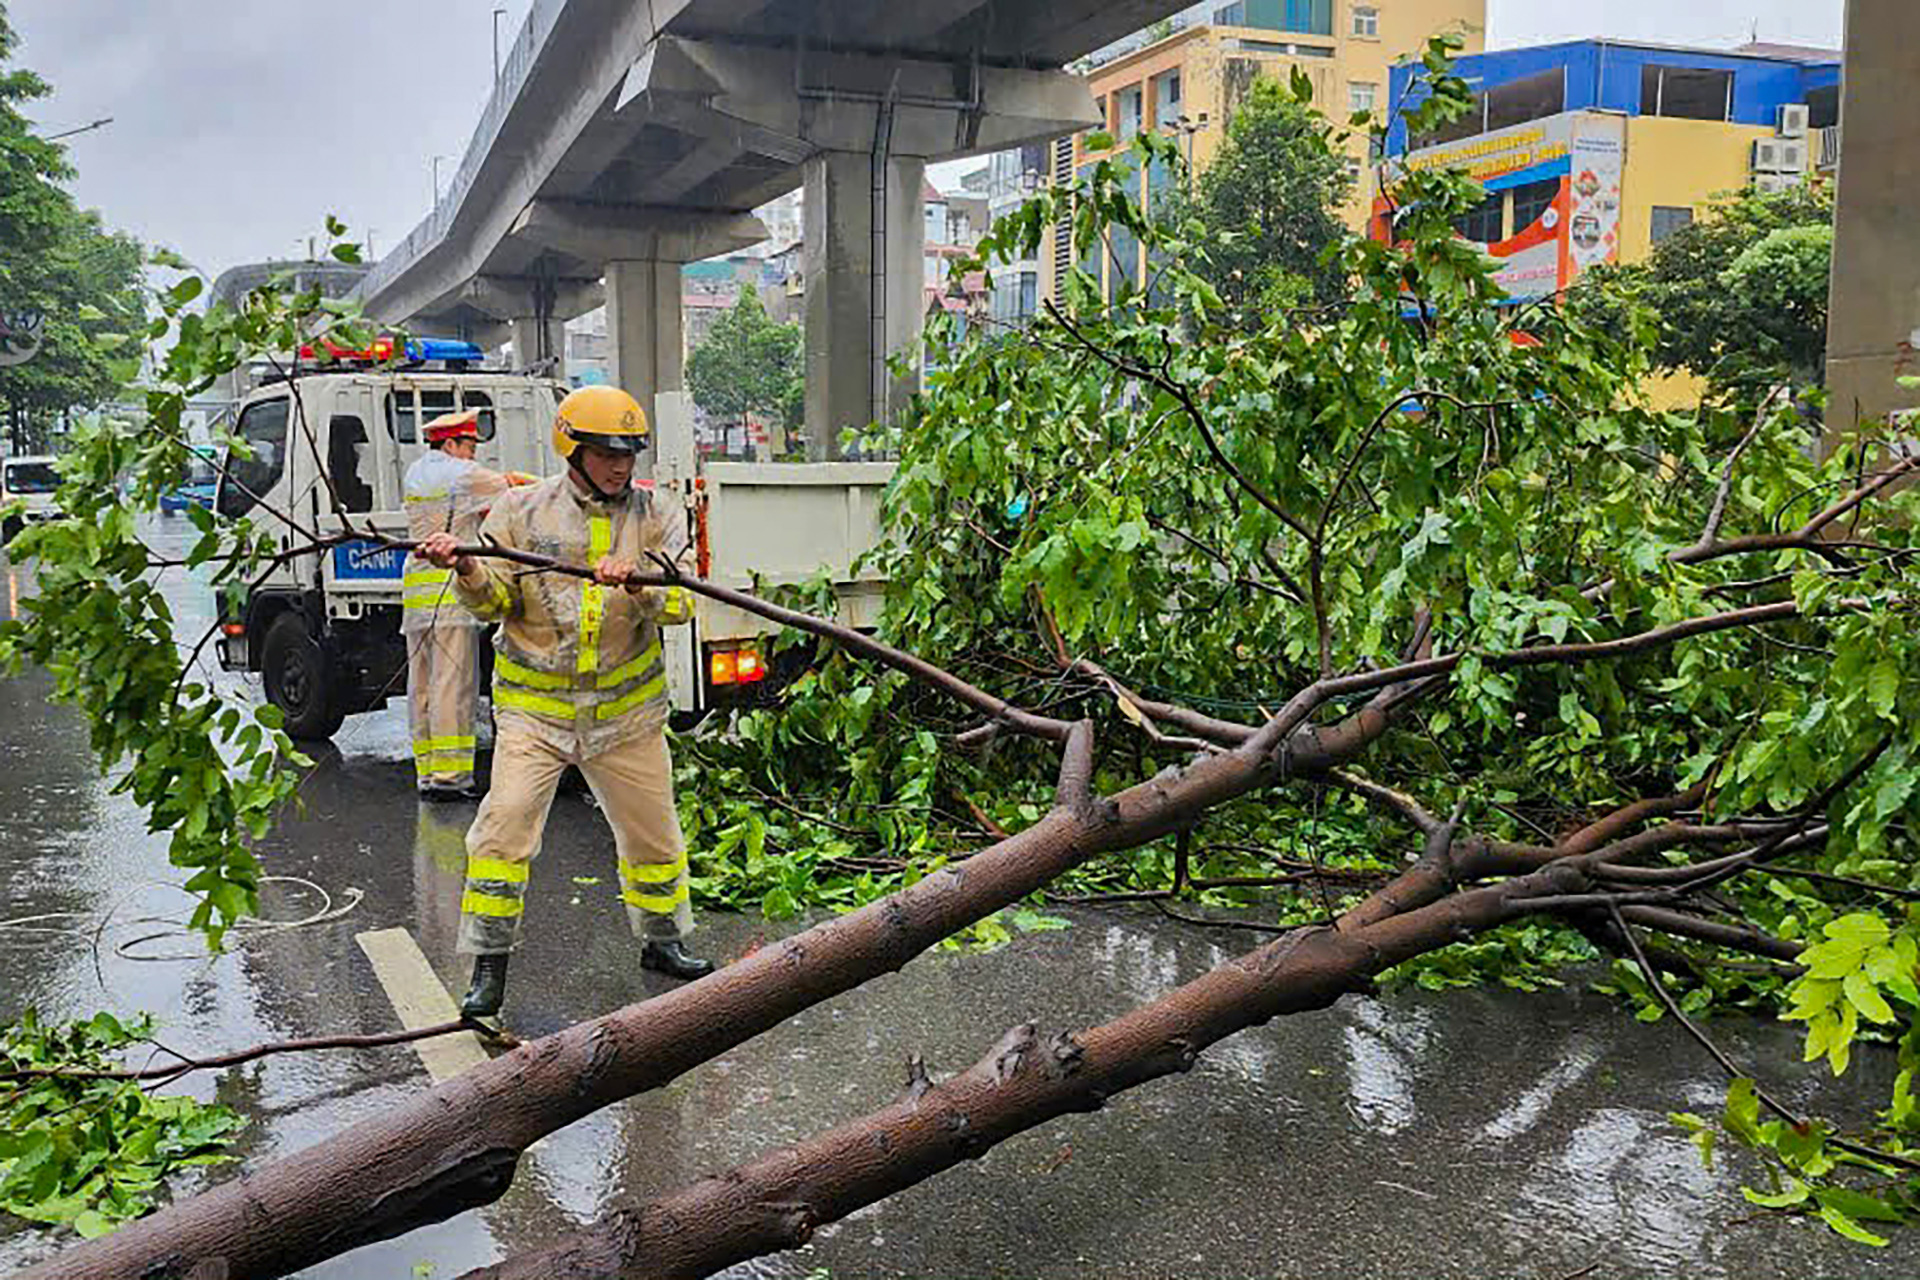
{"x": 458, "y": 1147}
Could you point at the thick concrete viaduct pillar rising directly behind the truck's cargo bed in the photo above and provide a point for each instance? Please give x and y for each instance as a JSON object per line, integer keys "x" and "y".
{"x": 865, "y": 291}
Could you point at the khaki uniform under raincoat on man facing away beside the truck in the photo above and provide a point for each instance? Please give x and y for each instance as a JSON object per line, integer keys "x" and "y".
{"x": 444, "y": 496}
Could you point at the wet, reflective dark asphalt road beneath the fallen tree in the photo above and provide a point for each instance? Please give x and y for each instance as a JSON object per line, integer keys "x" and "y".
{"x": 1410, "y": 1137}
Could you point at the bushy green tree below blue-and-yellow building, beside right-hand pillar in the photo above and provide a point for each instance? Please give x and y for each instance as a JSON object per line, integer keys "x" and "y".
{"x": 1740, "y": 295}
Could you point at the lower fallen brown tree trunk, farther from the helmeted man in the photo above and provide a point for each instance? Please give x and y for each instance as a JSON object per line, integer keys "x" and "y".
{"x": 1028, "y": 1079}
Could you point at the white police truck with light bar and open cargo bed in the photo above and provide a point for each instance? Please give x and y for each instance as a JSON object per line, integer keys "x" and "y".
{"x": 324, "y": 630}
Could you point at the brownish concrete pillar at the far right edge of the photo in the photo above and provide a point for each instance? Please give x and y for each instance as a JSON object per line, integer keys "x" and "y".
{"x": 1875, "y": 316}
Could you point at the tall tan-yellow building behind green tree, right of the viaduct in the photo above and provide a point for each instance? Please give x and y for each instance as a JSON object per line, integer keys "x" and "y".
{"x": 1191, "y": 80}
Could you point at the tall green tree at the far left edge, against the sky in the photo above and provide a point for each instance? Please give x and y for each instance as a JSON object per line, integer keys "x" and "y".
{"x": 60, "y": 262}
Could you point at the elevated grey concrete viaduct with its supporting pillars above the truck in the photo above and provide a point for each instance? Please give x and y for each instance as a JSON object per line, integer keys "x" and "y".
{"x": 631, "y": 137}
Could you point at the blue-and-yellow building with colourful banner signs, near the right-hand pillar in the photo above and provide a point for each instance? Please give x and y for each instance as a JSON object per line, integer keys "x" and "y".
{"x": 1596, "y": 151}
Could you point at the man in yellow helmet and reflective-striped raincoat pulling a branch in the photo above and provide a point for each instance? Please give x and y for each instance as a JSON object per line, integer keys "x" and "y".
{"x": 577, "y": 680}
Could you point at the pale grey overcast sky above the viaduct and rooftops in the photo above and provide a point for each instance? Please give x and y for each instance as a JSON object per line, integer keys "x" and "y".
{"x": 237, "y": 128}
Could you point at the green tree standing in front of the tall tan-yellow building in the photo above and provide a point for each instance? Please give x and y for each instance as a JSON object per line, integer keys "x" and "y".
{"x": 1268, "y": 202}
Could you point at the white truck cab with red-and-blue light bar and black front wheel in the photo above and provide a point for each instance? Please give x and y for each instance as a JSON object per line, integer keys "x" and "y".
{"x": 329, "y": 450}
